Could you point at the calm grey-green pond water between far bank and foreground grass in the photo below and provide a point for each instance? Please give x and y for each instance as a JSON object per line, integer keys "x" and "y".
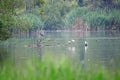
{"x": 103, "y": 47}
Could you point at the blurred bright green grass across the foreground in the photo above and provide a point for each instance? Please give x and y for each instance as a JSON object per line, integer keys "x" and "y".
{"x": 48, "y": 70}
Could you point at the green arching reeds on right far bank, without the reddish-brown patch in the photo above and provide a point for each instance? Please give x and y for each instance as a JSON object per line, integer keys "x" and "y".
{"x": 95, "y": 18}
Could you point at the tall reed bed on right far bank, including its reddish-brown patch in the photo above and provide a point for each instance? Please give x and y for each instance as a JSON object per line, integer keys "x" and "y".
{"x": 98, "y": 19}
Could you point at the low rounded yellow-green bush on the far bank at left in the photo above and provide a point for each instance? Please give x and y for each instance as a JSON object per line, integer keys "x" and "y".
{"x": 27, "y": 20}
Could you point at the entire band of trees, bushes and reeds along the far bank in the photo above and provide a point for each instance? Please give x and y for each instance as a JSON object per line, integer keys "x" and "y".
{"x": 58, "y": 15}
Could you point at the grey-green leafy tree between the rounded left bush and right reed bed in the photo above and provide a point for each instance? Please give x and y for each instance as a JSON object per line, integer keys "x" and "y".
{"x": 54, "y": 12}
